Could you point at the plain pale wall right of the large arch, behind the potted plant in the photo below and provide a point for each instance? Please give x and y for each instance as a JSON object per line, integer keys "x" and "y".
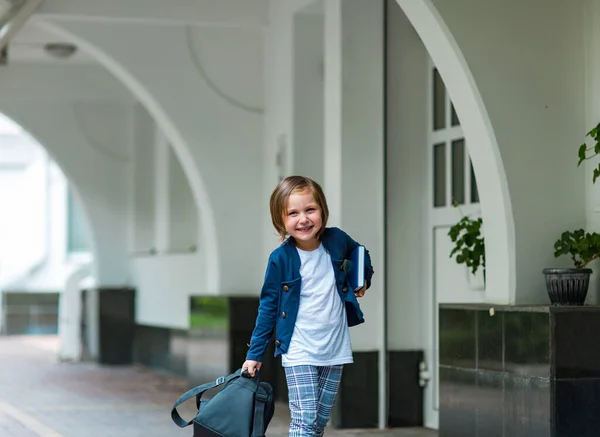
{"x": 527, "y": 59}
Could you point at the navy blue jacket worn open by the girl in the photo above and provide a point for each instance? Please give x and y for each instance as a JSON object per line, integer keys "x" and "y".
{"x": 280, "y": 295}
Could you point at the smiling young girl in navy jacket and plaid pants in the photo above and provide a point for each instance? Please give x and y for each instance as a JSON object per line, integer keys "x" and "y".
{"x": 306, "y": 300}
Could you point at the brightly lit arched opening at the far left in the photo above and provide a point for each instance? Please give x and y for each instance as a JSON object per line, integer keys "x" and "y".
{"x": 47, "y": 242}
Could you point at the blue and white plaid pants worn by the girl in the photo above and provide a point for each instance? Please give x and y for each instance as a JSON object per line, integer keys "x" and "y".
{"x": 312, "y": 391}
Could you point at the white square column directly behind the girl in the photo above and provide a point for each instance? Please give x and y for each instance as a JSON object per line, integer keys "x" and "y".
{"x": 354, "y": 151}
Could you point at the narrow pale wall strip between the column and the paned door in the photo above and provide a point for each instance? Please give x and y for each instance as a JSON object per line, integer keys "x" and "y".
{"x": 406, "y": 98}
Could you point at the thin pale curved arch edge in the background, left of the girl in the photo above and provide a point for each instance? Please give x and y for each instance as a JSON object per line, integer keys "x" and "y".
{"x": 206, "y": 223}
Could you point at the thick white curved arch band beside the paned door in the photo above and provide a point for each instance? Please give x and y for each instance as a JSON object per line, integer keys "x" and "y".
{"x": 483, "y": 147}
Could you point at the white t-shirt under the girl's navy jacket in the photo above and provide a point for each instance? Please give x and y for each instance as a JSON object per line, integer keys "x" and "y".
{"x": 321, "y": 336}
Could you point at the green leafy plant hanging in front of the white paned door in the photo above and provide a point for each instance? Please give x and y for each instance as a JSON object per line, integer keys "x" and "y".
{"x": 469, "y": 244}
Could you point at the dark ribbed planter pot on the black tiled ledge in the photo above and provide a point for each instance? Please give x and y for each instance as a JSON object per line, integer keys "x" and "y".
{"x": 567, "y": 286}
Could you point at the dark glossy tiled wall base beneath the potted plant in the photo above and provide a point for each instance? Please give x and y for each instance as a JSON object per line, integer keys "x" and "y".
{"x": 523, "y": 371}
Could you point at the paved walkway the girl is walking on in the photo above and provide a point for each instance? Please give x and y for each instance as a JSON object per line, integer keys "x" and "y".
{"x": 41, "y": 397}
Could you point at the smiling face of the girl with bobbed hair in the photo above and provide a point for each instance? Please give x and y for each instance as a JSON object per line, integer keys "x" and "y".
{"x": 302, "y": 219}
